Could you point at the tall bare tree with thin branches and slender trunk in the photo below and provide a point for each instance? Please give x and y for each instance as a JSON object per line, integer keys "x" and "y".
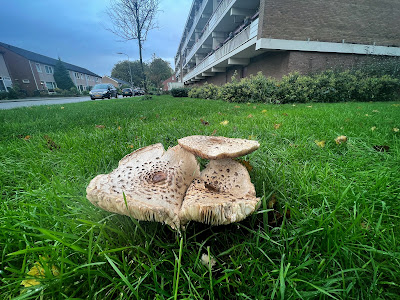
{"x": 132, "y": 20}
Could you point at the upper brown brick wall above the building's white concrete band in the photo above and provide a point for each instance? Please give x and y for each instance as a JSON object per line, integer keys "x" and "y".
{"x": 360, "y": 22}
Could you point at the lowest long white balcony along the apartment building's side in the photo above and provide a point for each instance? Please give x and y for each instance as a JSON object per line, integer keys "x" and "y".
{"x": 236, "y": 51}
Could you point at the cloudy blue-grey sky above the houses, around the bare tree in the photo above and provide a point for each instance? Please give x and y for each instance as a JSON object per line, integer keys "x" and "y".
{"x": 75, "y": 31}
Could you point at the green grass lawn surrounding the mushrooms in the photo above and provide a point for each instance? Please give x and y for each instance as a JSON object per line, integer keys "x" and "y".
{"x": 342, "y": 240}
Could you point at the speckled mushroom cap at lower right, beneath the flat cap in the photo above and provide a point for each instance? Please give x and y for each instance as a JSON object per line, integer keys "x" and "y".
{"x": 222, "y": 195}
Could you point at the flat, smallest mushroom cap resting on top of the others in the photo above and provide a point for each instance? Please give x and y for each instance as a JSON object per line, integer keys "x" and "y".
{"x": 217, "y": 147}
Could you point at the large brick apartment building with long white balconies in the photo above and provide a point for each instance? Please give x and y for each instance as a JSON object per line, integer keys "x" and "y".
{"x": 277, "y": 37}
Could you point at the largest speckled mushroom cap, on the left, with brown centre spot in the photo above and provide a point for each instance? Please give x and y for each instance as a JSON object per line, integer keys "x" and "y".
{"x": 154, "y": 182}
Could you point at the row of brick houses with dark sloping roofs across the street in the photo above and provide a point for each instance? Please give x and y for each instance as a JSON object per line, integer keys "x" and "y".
{"x": 34, "y": 72}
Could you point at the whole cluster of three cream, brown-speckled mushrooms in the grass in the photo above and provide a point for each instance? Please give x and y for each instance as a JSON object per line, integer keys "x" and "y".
{"x": 152, "y": 184}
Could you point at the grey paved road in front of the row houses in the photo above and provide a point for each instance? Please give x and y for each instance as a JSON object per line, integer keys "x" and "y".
{"x": 9, "y": 104}
